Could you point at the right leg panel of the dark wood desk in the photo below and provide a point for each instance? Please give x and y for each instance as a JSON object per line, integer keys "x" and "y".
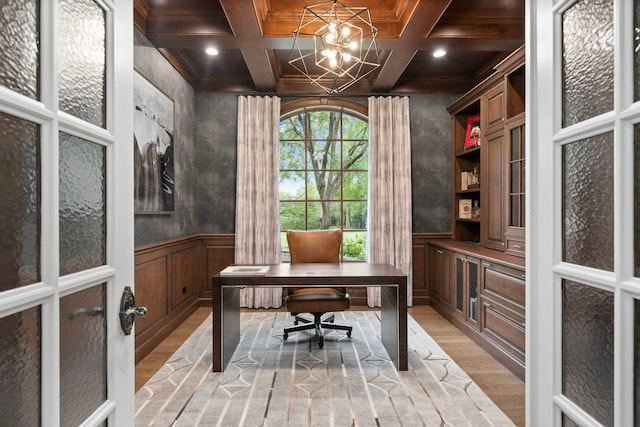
{"x": 394, "y": 324}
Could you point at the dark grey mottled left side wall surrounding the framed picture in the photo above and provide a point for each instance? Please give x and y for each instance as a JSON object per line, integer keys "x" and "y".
{"x": 183, "y": 221}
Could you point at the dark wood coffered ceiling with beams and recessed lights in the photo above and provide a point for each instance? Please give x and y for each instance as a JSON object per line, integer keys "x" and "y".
{"x": 254, "y": 40}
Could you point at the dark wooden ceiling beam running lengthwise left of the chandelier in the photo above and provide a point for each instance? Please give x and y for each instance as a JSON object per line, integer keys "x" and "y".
{"x": 245, "y": 25}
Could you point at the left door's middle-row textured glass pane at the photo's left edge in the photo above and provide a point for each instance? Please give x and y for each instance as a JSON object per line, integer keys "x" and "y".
{"x": 20, "y": 202}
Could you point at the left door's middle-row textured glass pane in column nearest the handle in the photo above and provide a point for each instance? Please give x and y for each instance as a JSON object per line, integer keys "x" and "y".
{"x": 82, "y": 204}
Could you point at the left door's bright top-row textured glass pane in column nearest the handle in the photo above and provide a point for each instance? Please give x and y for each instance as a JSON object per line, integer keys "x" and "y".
{"x": 82, "y": 60}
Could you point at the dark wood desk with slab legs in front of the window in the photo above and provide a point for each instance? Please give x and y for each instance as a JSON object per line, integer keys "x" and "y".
{"x": 226, "y": 301}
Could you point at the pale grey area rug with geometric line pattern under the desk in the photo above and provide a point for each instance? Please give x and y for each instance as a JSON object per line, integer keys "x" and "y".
{"x": 349, "y": 382}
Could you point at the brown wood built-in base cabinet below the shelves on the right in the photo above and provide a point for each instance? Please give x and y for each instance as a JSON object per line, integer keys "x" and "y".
{"x": 487, "y": 288}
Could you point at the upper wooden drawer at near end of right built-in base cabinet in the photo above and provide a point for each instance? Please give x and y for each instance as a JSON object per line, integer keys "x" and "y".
{"x": 505, "y": 282}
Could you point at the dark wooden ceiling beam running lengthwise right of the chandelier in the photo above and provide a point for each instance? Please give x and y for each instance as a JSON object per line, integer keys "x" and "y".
{"x": 423, "y": 18}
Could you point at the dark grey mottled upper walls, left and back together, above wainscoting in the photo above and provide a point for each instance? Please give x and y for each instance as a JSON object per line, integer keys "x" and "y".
{"x": 205, "y": 154}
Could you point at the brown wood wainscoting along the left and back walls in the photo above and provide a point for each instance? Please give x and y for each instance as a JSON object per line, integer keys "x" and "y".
{"x": 173, "y": 279}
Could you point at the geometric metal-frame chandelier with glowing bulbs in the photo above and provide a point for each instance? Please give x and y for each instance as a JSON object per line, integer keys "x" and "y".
{"x": 344, "y": 45}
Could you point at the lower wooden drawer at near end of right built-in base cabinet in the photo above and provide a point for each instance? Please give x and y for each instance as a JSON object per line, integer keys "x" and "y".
{"x": 503, "y": 329}
